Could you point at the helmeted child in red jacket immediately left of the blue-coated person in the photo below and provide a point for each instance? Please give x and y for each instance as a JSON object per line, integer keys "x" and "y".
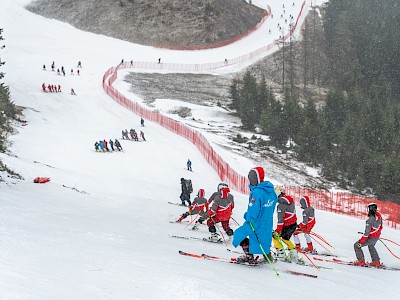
{"x": 221, "y": 211}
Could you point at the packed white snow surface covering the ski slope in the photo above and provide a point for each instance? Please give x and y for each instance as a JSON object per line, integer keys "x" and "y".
{"x": 100, "y": 228}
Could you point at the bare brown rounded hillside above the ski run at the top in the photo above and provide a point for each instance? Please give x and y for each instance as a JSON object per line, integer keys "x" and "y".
{"x": 161, "y": 22}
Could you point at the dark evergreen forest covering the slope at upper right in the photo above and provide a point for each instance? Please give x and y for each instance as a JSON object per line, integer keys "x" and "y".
{"x": 353, "y": 133}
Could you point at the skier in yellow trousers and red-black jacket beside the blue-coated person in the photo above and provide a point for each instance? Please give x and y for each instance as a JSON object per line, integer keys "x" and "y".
{"x": 287, "y": 224}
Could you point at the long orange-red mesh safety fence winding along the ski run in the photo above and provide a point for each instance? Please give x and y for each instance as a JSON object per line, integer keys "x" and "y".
{"x": 341, "y": 203}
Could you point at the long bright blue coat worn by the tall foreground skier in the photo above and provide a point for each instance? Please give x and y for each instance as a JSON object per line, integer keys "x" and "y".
{"x": 260, "y": 212}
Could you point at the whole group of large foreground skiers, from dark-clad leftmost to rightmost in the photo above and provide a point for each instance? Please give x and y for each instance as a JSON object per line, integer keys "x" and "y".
{"x": 256, "y": 233}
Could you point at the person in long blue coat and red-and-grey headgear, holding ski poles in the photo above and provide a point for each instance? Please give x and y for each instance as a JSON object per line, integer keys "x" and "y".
{"x": 255, "y": 235}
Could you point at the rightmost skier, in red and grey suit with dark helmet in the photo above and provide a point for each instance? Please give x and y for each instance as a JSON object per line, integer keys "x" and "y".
{"x": 373, "y": 228}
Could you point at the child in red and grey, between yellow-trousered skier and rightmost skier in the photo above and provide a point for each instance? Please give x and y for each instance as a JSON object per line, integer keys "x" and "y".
{"x": 305, "y": 226}
